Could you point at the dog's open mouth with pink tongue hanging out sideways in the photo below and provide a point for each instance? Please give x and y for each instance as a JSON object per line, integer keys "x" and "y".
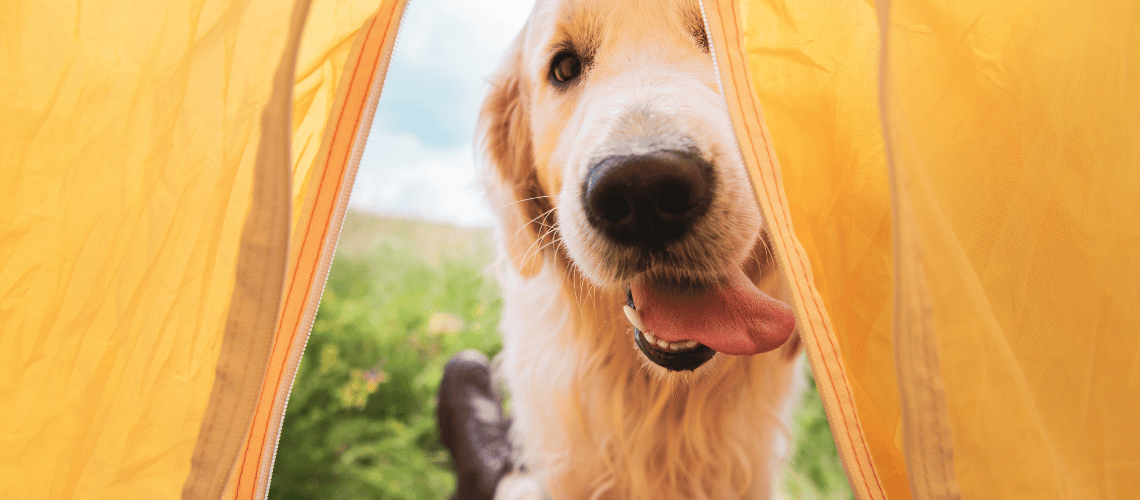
{"x": 682, "y": 326}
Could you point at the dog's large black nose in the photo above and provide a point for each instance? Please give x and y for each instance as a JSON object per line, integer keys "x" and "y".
{"x": 648, "y": 200}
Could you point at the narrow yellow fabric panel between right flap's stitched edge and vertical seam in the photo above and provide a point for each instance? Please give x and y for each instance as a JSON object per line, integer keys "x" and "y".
{"x": 815, "y": 69}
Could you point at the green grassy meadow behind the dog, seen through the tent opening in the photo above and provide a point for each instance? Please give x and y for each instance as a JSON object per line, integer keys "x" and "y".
{"x": 402, "y": 298}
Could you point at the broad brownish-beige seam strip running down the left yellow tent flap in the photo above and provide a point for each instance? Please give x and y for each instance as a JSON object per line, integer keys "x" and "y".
{"x": 260, "y": 275}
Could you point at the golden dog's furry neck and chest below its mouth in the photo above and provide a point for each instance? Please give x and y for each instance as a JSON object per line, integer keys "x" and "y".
{"x": 595, "y": 421}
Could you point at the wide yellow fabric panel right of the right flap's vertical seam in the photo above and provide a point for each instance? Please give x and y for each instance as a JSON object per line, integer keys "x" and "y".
{"x": 1014, "y": 130}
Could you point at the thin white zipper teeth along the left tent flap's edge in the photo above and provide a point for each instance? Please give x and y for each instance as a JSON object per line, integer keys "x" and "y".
{"x": 357, "y": 153}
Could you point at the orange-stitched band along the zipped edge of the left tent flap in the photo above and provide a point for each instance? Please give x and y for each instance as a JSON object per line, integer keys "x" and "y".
{"x": 315, "y": 245}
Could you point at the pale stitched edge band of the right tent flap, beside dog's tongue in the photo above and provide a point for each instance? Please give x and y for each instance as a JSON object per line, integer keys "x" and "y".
{"x": 812, "y": 321}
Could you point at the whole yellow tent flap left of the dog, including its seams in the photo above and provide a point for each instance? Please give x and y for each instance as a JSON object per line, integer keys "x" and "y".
{"x": 150, "y": 151}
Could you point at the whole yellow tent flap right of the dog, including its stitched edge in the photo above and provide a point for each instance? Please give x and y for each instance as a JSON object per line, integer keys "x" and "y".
{"x": 964, "y": 181}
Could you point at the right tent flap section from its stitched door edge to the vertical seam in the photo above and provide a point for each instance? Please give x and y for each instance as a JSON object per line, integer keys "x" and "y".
{"x": 821, "y": 165}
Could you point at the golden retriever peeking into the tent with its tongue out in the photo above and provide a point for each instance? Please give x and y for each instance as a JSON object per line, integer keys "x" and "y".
{"x": 644, "y": 351}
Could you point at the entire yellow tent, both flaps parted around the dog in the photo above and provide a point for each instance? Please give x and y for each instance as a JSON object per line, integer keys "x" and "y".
{"x": 954, "y": 191}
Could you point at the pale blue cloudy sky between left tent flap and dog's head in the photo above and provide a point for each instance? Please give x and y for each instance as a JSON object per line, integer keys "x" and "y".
{"x": 420, "y": 160}
